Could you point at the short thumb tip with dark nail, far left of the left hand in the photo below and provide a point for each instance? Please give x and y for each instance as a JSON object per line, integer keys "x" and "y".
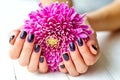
{"x": 13, "y": 35}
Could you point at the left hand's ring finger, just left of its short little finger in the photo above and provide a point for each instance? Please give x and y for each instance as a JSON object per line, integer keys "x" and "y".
{"x": 34, "y": 61}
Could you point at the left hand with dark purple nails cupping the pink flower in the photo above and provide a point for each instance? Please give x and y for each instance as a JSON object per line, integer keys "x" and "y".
{"x": 27, "y": 53}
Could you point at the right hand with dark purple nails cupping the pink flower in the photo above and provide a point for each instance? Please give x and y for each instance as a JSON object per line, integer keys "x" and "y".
{"x": 82, "y": 55}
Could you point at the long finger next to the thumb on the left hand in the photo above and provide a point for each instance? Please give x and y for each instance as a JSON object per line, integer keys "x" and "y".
{"x": 18, "y": 44}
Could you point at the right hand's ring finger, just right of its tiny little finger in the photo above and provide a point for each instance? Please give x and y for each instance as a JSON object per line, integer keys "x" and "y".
{"x": 69, "y": 65}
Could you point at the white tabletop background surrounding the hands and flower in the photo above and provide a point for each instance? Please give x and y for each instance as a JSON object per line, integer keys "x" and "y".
{"x": 12, "y": 15}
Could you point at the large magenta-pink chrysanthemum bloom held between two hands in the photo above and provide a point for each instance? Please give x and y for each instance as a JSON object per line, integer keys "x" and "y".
{"x": 54, "y": 27}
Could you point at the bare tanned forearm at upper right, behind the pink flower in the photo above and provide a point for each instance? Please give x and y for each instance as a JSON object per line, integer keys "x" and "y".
{"x": 106, "y": 18}
